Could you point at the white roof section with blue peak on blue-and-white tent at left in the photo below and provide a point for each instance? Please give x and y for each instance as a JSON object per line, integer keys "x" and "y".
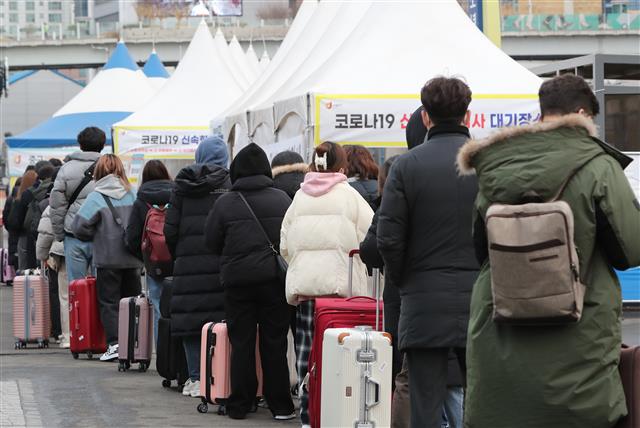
{"x": 119, "y": 87}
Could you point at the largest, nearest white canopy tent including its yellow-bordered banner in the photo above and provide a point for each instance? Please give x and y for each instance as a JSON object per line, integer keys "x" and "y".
{"x": 362, "y": 78}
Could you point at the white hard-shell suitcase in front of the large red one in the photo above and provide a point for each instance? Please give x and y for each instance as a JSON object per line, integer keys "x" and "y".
{"x": 356, "y": 378}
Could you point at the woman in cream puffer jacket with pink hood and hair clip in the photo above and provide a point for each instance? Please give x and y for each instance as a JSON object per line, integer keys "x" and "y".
{"x": 327, "y": 219}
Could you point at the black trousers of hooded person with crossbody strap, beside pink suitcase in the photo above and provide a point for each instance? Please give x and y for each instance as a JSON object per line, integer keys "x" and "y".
{"x": 246, "y": 308}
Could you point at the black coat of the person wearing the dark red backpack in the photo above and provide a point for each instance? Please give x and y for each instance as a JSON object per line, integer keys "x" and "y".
{"x": 156, "y": 192}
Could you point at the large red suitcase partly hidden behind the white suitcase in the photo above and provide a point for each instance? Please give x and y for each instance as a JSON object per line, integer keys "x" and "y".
{"x": 337, "y": 313}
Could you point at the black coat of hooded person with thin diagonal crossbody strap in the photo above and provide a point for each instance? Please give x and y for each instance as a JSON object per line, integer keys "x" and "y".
{"x": 245, "y": 257}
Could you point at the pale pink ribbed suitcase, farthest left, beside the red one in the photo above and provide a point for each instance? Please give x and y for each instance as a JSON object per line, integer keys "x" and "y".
{"x": 31, "y": 318}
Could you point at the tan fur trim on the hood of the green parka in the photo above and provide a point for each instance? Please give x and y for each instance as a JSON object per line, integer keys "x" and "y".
{"x": 472, "y": 147}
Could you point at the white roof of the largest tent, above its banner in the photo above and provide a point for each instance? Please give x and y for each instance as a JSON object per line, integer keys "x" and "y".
{"x": 395, "y": 49}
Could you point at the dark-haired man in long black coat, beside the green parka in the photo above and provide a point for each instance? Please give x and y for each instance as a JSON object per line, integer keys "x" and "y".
{"x": 424, "y": 237}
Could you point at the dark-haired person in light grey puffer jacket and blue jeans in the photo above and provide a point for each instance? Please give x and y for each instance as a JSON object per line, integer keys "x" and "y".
{"x": 72, "y": 181}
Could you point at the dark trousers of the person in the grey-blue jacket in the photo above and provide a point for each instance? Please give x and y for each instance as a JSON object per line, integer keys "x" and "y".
{"x": 113, "y": 285}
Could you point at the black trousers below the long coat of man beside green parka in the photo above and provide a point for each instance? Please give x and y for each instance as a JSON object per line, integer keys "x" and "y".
{"x": 428, "y": 383}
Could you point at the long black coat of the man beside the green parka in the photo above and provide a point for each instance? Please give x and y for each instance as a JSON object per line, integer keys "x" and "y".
{"x": 424, "y": 236}
